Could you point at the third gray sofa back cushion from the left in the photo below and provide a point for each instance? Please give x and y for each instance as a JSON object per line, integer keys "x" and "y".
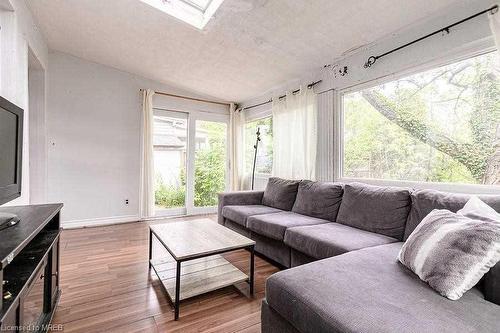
{"x": 378, "y": 209}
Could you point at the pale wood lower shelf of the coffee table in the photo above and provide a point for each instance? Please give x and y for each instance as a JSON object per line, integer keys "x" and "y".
{"x": 198, "y": 276}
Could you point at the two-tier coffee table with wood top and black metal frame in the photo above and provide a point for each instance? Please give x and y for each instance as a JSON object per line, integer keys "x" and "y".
{"x": 197, "y": 244}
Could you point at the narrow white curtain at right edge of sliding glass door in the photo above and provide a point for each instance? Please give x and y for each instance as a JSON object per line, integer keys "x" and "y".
{"x": 236, "y": 147}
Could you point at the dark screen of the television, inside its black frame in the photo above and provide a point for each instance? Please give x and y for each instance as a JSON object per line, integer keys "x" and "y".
{"x": 8, "y": 148}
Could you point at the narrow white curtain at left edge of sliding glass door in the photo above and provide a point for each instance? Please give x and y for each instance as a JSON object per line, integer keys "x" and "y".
{"x": 147, "y": 204}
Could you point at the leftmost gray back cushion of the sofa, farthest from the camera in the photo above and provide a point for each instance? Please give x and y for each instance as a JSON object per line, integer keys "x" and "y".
{"x": 280, "y": 193}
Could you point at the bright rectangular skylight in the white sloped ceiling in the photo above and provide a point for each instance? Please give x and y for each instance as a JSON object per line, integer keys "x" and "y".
{"x": 195, "y": 12}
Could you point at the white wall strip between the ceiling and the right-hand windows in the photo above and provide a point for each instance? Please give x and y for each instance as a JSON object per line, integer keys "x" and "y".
{"x": 468, "y": 37}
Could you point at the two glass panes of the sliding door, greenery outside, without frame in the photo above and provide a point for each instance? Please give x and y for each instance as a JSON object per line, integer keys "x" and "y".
{"x": 170, "y": 162}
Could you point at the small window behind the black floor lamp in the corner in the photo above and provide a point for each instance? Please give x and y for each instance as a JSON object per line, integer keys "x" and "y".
{"x": 264, "y": 160}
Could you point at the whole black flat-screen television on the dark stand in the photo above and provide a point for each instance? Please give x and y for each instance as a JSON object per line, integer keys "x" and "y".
{"x": 11, "y": 148}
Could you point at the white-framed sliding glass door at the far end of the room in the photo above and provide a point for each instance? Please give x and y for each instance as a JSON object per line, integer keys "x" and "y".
{"x": 191, "y": 161}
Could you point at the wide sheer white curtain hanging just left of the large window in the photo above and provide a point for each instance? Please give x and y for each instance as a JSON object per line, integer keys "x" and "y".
{"x": 295, "y": 135}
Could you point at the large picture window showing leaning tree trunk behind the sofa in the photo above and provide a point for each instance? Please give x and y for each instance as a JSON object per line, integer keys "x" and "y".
{"x": 442, "y": 125}
